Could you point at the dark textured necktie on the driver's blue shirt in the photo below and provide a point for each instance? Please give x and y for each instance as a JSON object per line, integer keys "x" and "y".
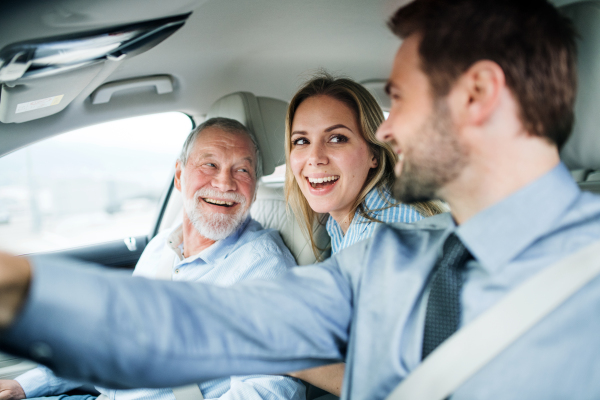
{"x": 443, "y": 306}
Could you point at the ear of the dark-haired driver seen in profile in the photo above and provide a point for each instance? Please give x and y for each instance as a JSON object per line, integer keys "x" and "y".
{"x": 481, "y": 87}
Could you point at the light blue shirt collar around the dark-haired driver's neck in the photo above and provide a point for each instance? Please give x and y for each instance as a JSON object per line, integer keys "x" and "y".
{"x": 499, "y": 233}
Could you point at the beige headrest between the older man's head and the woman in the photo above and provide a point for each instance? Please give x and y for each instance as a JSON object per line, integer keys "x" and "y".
{"x": 264, "y": 117}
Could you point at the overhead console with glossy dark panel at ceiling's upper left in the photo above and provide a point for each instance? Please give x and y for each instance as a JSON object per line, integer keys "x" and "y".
{"x": 41, "y": 77}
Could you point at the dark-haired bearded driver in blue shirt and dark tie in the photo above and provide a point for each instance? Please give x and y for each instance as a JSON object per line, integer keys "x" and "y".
{"x": 482, "y": 100}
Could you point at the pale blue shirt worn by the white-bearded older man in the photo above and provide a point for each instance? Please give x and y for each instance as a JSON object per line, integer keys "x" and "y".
{"x": 250, "y": 253}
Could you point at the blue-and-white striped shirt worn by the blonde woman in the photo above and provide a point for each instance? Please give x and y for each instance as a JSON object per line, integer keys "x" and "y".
{"x": 362, "y": 228}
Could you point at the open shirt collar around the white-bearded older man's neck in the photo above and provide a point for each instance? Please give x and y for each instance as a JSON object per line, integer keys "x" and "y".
{"x": 220, "y": 249}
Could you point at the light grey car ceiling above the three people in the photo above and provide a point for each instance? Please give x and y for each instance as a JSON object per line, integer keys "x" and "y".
{"x": 267, "y": 47}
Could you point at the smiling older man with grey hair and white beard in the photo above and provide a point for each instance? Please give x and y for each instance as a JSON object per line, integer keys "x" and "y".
{"x": 217, "y": 243}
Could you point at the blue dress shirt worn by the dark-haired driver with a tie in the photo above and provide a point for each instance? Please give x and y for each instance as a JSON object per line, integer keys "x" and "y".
{"x": 364, "y": 305}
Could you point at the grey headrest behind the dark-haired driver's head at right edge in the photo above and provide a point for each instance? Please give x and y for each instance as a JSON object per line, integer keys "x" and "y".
{"x": 583, "y": 148}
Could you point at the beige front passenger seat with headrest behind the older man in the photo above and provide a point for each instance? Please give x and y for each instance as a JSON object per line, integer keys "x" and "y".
{"x": 265, "y": 118}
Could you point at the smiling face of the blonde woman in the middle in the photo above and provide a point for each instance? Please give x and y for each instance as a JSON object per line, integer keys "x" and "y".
{"x": 329, "y": 157}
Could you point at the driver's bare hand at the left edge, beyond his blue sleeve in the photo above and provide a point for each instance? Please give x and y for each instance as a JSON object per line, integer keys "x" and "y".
{"x": 15, "y": 278}
